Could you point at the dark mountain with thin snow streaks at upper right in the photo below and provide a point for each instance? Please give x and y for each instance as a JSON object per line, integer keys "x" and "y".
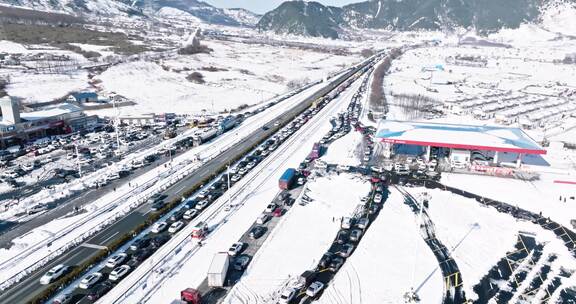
{"x": 315, "y": 19}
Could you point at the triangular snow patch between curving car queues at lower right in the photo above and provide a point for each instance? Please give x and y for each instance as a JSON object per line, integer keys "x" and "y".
{"x": 478, "y": 237}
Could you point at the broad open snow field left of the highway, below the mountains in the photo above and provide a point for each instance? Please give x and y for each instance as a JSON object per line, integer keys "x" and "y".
{"x": 235, "y": 74}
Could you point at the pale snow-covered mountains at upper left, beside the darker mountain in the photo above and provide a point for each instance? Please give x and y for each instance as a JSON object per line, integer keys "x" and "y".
{"x": 197, "y": 9}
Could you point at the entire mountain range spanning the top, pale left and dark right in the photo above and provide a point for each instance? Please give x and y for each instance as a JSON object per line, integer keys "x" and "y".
{"x": 314, "y": 19}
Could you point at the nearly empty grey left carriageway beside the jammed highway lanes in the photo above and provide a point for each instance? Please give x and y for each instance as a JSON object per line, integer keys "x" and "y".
{"x": 27, "y": 289}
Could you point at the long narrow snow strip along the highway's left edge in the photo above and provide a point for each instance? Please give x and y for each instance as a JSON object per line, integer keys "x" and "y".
{"x": 146, "y": 182}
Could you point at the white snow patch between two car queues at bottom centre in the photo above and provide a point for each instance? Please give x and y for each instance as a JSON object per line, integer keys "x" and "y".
{"x": 301, "y": 238}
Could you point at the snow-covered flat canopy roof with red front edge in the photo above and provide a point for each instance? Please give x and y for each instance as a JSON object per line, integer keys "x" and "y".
{"x": 491, "y": 138}
